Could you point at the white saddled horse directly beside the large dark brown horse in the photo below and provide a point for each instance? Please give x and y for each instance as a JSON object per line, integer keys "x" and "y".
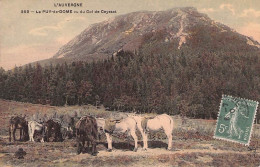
{"x": 127, "y": 125}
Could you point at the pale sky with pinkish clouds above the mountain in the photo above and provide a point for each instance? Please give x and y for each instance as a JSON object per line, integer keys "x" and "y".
{"x": 29, "y": 37}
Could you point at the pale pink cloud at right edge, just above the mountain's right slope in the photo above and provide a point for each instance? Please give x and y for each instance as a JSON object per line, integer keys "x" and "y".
{"x": 251, "y": 30}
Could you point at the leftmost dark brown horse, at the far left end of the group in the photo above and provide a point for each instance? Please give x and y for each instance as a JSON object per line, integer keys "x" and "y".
{"x": 18, "y": 122}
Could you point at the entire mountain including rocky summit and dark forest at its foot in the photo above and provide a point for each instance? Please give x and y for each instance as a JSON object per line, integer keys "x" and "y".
{"x": 177, "y": 61}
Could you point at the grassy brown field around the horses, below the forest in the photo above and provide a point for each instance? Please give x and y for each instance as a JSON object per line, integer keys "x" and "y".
{"x": 193, "y": 143}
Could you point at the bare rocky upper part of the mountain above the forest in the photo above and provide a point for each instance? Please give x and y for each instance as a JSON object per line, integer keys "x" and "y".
{"x": 157, "y": 31}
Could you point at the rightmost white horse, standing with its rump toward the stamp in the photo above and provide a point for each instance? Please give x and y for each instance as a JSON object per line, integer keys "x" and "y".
{"x": 163, "y": 121}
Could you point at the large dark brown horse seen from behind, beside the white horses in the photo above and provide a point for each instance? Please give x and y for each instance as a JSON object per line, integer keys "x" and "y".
{"x": 86, "y": 130}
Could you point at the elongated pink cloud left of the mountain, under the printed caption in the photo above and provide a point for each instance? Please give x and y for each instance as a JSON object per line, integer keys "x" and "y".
{"x": 45, "y": 30}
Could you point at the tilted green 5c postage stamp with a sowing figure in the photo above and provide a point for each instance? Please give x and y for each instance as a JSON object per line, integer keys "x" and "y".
{"x": 235, "y": 119}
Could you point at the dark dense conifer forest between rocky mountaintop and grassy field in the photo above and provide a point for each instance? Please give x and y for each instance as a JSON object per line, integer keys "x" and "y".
{"x": 183, "y": 82}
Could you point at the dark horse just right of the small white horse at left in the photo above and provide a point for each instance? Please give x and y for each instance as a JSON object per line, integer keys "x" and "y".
{"x": 50, "y": 127}
